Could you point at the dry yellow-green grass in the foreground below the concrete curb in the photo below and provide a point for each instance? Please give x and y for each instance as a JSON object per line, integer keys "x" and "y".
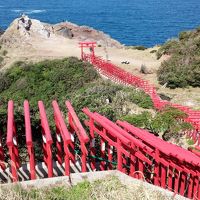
{"x": 106, "y": 189}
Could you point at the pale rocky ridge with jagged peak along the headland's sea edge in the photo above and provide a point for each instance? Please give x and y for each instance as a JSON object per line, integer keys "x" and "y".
{"x": 23, "y": 30}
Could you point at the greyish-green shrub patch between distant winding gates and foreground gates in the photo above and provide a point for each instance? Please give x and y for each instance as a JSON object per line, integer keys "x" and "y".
{"x": 107, "y": 98}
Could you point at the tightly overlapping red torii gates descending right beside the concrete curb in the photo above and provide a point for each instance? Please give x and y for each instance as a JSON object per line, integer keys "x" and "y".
{"x": 169, "y": 166}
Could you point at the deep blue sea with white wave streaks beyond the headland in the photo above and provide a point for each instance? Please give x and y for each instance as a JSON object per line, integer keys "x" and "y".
{"x": 132, "y": 22}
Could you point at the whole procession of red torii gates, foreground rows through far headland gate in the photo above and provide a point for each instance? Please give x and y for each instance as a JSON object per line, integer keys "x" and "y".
{"x": 106, "y": 145}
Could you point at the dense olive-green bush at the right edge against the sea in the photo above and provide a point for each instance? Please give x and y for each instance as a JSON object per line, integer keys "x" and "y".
{"x": 182, "y": 69}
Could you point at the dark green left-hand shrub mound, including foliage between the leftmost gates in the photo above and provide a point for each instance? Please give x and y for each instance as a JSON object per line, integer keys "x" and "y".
{"x": 47, "y": 80}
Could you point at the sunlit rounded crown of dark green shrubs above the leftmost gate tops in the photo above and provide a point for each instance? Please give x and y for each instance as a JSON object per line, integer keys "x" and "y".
{"x": 46, "y": 80}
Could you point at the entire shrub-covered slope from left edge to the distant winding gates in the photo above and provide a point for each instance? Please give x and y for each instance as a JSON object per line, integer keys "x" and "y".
{"x": 64, "y": 79}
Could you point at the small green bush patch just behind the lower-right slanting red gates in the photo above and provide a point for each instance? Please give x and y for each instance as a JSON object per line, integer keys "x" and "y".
{"x": 167, "y": 123}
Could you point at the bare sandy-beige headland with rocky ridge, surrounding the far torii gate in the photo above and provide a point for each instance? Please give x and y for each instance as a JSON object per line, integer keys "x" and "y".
{"x": 43, "y": 41}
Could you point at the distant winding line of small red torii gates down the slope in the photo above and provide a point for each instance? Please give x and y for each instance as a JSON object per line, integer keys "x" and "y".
{"x": 119, "y": 75}
